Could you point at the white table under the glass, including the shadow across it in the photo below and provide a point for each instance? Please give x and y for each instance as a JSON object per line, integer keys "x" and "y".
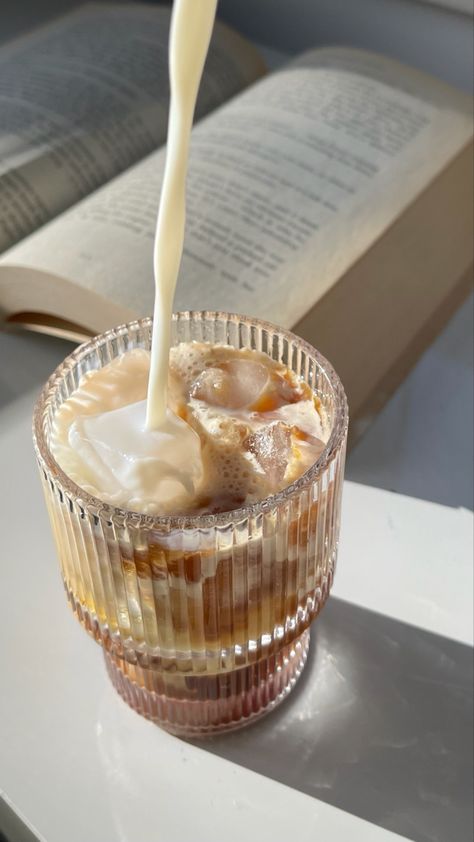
{"x": 375, "y": 739}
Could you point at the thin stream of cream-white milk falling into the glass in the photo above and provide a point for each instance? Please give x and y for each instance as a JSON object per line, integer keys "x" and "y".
{"x": 191, "y": 28}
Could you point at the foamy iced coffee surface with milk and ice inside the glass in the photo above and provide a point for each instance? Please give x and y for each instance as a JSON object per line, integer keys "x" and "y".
{"x": 208, "y": 456}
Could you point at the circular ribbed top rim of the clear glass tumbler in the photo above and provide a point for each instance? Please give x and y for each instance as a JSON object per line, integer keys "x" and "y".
{"x": 99, "y": 508}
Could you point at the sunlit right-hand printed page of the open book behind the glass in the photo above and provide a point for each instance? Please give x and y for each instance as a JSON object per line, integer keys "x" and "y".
{"x": 288, "y": 185}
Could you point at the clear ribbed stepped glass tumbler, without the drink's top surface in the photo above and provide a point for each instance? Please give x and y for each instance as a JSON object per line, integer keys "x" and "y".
{"x": 204, "y": 620}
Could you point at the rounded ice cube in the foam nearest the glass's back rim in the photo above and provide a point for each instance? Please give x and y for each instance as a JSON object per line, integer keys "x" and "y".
{"x": 233, "y": 384}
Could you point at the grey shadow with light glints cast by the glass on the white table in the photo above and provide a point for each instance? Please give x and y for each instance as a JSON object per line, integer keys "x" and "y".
{"x": 380, "y": 725}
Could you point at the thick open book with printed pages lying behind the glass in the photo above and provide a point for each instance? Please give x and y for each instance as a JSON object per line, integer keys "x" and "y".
{"x": 332, "y": 196}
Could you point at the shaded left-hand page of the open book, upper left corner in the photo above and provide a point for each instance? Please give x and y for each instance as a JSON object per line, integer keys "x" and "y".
{"x": 85, "y": 97}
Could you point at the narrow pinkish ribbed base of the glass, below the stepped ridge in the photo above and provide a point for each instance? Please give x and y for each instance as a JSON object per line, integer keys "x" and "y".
{"x": 198, "y": 705}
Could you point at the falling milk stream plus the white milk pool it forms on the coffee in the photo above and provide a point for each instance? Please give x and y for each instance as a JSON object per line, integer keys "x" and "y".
{"x": 143, "y": 447}
